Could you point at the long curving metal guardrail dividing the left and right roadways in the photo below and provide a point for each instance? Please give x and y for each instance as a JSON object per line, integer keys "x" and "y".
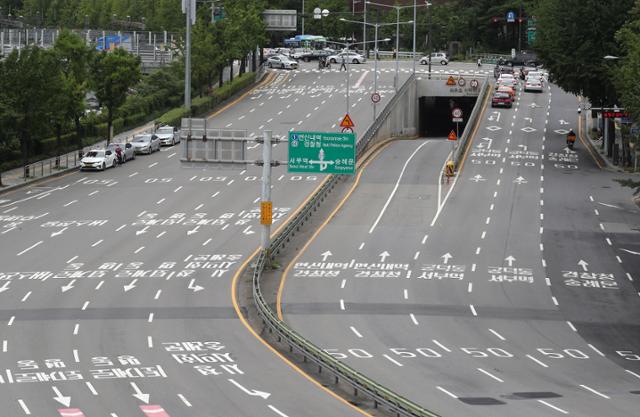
{"x": 380, "y": 394}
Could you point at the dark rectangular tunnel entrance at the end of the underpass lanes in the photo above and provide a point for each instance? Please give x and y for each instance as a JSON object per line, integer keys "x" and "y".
{"x": 435, "y": 114}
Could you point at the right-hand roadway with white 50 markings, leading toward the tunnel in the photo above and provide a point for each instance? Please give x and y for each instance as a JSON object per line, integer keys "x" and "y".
{"x": 511, "y": 291}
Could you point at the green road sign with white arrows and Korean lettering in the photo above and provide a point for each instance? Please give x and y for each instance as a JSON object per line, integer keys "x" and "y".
{"x": 323, "y": 153}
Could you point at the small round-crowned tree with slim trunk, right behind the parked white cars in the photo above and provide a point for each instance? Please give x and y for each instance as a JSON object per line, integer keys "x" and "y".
{"x": 112, "y": 75}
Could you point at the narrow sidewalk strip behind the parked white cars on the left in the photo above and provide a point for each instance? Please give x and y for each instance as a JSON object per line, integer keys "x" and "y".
{"x": 14, "y": 178}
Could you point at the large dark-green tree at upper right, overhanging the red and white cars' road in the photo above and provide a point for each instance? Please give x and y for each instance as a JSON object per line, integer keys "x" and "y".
{"x": 573, "y": 36}
